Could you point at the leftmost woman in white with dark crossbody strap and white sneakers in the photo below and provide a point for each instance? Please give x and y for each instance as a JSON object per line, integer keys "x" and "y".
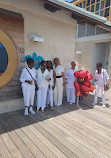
{"x": 28, "y": 79}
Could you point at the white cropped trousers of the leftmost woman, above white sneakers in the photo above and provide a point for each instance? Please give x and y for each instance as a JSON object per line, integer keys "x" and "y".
{"x": 28, "y": 95}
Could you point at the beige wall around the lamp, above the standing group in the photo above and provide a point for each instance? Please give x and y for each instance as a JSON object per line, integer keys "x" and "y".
{"x": 58, "y": 38}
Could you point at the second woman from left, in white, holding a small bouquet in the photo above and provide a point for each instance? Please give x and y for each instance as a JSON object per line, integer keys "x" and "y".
{"x": 43, "y": 78}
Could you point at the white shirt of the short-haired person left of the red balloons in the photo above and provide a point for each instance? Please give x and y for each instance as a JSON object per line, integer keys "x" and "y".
{"x": 70, "y": 77}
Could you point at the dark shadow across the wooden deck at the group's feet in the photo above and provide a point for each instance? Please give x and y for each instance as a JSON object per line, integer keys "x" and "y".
{"x": 16, "y": 120}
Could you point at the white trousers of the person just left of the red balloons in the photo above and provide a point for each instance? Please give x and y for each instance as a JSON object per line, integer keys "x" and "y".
{"x": 70, "y": 95}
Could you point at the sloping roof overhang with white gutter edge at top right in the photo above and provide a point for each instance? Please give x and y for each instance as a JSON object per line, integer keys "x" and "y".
{"x": 81, "y": 15}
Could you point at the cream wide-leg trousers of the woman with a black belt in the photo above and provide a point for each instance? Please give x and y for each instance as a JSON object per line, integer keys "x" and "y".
{"x": 58, "y": 92}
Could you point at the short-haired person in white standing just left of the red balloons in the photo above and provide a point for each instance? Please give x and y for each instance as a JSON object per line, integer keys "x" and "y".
{"x": 70, "y": 79}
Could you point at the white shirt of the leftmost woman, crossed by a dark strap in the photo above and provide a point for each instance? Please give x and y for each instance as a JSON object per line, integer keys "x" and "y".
{"x": 26, "y": 76}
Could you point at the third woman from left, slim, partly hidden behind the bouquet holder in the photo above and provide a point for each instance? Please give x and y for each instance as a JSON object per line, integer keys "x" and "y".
{"x": 52, "y": 83}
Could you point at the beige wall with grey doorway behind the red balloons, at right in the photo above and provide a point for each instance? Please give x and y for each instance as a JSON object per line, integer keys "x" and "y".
{"x": 88, "y": 49}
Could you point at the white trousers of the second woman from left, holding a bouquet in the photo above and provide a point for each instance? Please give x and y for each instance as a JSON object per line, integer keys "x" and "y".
{"x": 41, "y": 97}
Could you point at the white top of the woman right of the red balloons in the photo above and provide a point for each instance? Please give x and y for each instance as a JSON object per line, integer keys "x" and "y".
{"x": 100, "y": 80}
